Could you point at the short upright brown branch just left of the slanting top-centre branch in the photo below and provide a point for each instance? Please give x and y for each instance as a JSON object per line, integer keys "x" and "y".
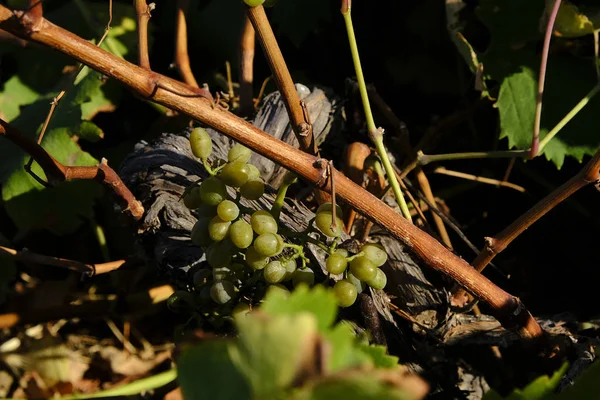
{"x": 246, "y": 63}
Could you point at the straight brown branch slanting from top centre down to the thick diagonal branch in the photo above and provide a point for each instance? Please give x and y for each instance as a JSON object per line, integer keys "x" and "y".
{"x": 301, "y": 126}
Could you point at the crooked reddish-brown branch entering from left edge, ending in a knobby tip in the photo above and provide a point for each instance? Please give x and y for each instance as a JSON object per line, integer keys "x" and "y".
{"x": 57, "y": 173}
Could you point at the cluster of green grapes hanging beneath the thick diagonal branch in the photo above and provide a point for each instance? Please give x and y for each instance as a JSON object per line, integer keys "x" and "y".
{"x": 244, "y": 246}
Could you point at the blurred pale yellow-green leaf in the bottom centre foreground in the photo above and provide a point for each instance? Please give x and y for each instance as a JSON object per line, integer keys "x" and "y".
{"x": 272, "y": 350}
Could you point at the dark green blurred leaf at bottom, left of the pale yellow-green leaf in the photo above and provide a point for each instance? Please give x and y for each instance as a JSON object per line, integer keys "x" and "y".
{"x": 206, "y": 372}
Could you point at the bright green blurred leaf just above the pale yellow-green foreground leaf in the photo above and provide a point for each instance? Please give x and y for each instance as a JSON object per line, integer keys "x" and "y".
{"x": 318, "y": 301}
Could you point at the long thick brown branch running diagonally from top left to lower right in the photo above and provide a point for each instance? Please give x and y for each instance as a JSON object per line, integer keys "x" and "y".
{"x": 507, "y": 308}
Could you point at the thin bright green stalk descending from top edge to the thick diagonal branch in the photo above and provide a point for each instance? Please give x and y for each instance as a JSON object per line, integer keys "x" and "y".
{"x": 375, "y": 134}
